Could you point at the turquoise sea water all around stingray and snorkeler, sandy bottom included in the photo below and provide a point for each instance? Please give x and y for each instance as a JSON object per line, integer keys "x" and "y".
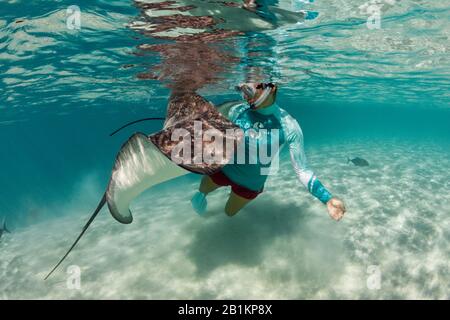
{"x": 381, "y": 94}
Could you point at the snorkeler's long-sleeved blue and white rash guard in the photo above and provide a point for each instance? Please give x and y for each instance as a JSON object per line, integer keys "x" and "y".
{"x": 249, "y": 173}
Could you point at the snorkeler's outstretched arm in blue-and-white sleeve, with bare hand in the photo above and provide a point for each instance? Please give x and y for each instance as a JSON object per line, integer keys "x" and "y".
{"x": 294, "y": 139}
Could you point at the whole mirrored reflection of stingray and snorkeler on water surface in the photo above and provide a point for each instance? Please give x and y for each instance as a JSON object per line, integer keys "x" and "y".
{"x": 198, "y": 46}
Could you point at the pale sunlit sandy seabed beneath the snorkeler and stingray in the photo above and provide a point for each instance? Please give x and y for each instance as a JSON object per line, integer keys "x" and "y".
{"x": 393, "y": 242}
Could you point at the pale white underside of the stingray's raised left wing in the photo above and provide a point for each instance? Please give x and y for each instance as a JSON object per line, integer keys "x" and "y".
{"x": 139, "y": 165}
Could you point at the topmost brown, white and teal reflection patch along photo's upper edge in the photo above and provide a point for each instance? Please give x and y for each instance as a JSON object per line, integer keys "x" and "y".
{"x": 188, "y": 19}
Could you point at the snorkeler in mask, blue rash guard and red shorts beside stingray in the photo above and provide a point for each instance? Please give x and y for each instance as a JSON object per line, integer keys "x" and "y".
{"x": 260, "y": 111}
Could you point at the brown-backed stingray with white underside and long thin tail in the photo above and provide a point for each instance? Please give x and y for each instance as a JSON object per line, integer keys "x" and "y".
{"x": 144, "y": 160}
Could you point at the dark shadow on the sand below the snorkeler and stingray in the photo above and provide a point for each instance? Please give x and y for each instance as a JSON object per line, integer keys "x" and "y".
{"x": 242, "y": 239}
